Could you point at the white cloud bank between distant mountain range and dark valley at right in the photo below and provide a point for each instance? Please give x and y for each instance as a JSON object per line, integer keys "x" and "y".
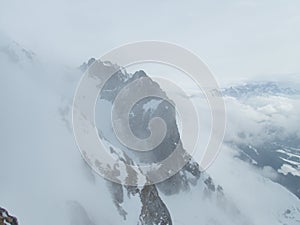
{"x": 261, "y": 119}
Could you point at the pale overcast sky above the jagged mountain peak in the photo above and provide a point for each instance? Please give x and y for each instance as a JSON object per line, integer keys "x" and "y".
{"x": 236, "y": 38}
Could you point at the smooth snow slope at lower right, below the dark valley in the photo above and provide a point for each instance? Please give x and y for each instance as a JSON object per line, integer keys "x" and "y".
{"x": 264, "y": 201}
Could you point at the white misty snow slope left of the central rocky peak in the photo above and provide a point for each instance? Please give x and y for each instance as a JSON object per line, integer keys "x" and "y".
{"x": 44, "y": 179}
